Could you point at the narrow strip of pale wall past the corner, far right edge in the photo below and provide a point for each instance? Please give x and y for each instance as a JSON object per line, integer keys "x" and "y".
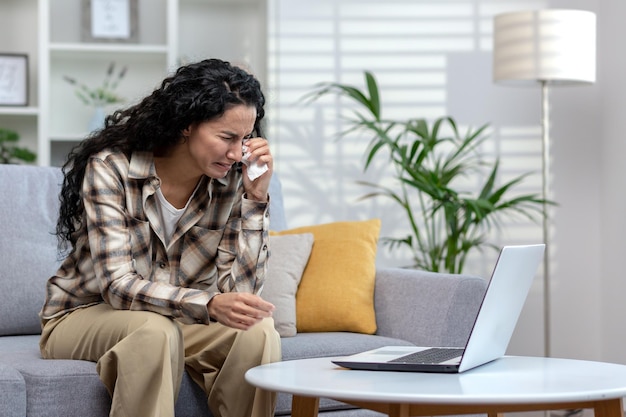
{"x": 611, "y": 180}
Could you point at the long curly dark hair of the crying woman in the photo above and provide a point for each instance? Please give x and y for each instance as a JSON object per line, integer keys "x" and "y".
{"x": 196, "y": 93}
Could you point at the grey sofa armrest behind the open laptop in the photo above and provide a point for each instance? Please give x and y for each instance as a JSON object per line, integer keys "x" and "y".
{"x": 427, "y": 308}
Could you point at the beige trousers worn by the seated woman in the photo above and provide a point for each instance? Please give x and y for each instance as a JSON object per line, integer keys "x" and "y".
{"x": 141, "y": 356}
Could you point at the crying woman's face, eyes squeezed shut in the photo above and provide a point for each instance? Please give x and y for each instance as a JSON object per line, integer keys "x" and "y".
{"x": 216, "y": 145}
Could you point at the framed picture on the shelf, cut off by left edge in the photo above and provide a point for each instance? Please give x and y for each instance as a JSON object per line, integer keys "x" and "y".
{"x": 13, "y": 79}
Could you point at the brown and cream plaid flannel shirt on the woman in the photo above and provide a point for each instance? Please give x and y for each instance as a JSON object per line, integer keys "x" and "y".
{"x": 220, "y": 244}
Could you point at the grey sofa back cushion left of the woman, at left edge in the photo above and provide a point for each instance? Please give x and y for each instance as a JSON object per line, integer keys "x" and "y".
{"x": 28, "y": 248}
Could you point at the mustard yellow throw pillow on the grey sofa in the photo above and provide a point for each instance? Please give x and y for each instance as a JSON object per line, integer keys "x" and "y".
{"x": 336, "y": 292}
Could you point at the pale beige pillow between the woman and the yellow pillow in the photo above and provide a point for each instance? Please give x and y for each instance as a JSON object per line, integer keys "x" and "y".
{"x": 289, "y": 256}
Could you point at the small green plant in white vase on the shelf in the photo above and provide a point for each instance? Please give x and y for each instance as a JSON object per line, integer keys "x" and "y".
{"x": 100, "y": 96}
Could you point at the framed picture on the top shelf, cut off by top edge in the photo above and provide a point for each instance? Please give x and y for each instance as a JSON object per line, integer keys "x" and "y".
{"x": 109, "y": 21}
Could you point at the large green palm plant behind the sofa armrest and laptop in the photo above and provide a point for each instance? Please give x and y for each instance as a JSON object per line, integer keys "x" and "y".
{"x": 430, "y": 161}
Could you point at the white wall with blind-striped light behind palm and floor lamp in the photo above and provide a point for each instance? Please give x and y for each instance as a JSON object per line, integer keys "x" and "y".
{"x": 308, "y": 46}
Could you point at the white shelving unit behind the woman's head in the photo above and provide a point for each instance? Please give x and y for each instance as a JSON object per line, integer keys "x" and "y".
{"x": 170, "y": 32}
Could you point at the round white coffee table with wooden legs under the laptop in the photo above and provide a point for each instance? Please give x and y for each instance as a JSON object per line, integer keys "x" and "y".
{"x": 509, "y": 384}
